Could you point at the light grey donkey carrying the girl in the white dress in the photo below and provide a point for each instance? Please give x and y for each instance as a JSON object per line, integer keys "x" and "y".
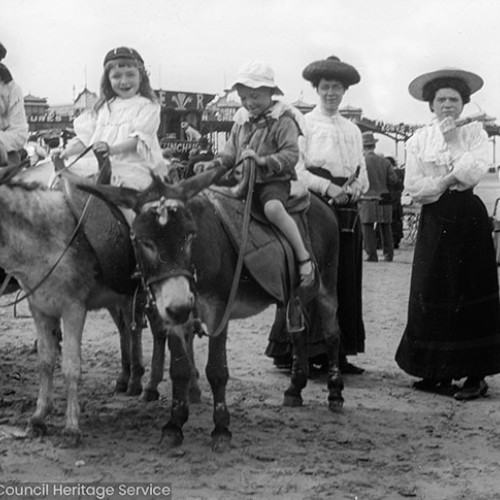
{"x": 62, "y": 281}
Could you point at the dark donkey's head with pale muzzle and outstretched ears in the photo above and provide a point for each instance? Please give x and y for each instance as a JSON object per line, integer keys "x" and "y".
{"x": 162, "y": 233}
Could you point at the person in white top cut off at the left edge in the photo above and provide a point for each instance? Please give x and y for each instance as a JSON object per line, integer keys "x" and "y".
{"x": 13, "y": 123}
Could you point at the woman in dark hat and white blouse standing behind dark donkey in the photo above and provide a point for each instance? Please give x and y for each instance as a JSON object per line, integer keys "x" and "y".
{"x": 334, "y": 167}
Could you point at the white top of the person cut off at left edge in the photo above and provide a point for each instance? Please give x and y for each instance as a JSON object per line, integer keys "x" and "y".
{"x": 13, "y": 123}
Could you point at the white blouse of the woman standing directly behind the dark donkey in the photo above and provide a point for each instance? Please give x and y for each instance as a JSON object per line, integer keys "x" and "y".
{"x": 333, "y": 143}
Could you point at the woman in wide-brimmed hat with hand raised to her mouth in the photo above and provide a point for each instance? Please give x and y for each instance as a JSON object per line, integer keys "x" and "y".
{"x": 453, "y": 328}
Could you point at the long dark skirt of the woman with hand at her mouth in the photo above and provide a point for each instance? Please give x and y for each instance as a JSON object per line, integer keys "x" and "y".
{"x": 453, "y": 328}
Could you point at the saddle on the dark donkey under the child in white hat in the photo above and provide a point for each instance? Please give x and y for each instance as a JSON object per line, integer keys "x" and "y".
{"x": 269, "y": 257}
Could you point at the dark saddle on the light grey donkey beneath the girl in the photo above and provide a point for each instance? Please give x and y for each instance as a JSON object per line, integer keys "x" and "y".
{"x": 106, "y": 230}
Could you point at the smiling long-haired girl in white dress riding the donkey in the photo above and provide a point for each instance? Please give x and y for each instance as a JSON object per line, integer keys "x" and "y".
{"x": 123, "y": 123}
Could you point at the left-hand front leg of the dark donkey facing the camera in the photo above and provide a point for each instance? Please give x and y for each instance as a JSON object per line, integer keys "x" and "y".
{"x": 180, "y": 374}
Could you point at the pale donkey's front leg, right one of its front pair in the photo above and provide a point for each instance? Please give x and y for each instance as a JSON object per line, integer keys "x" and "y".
{"x": 73, "y": 322}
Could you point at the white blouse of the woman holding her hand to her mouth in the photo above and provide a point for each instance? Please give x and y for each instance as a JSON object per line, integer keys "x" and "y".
{"x": 430, "y": 159}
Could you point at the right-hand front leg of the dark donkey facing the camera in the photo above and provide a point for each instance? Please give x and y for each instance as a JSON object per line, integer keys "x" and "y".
{"x": 218, "y": 375}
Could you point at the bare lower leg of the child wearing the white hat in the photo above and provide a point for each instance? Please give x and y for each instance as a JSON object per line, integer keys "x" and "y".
{"x": 277, "y": 215}
